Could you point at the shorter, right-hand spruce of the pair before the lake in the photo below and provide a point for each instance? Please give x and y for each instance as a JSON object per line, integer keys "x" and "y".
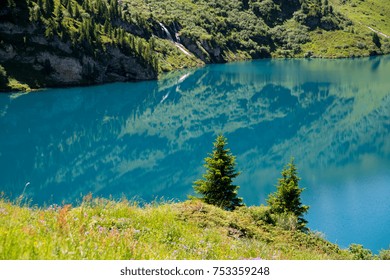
{"x": 287, "y": 198}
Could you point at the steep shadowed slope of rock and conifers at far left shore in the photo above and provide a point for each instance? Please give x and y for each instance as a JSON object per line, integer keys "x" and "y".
{"x": 45, "y": 45}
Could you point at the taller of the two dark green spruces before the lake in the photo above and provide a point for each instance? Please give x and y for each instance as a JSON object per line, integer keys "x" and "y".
{"x": 217, "y": 187}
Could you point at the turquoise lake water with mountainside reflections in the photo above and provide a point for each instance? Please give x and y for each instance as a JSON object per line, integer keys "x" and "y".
{"x": 148, "y": 140}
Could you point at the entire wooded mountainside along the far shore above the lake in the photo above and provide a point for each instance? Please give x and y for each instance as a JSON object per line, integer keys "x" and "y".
{"x": 46, "y": 43}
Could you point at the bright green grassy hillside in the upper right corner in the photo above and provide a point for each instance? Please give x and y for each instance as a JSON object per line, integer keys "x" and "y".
{"x": 365, "y": 17}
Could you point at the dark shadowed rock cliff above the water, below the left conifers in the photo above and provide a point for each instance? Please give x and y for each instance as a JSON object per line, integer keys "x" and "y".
{"x": 32, "y": 58}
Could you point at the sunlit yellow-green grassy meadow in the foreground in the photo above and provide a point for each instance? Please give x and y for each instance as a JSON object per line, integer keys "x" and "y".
{"x": 106, "y": 229}
